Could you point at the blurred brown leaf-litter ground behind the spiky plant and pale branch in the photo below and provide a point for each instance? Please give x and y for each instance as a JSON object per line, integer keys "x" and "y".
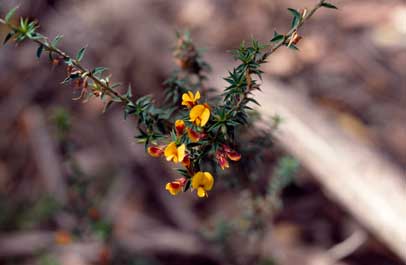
{"x": 75, "y": 187}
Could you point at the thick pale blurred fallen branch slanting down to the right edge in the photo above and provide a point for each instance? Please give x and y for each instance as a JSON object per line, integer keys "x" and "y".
{"x": 357, "y": 177}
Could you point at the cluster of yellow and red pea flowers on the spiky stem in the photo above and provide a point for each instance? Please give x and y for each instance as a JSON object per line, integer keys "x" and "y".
{"x": 191, "y": 132}
